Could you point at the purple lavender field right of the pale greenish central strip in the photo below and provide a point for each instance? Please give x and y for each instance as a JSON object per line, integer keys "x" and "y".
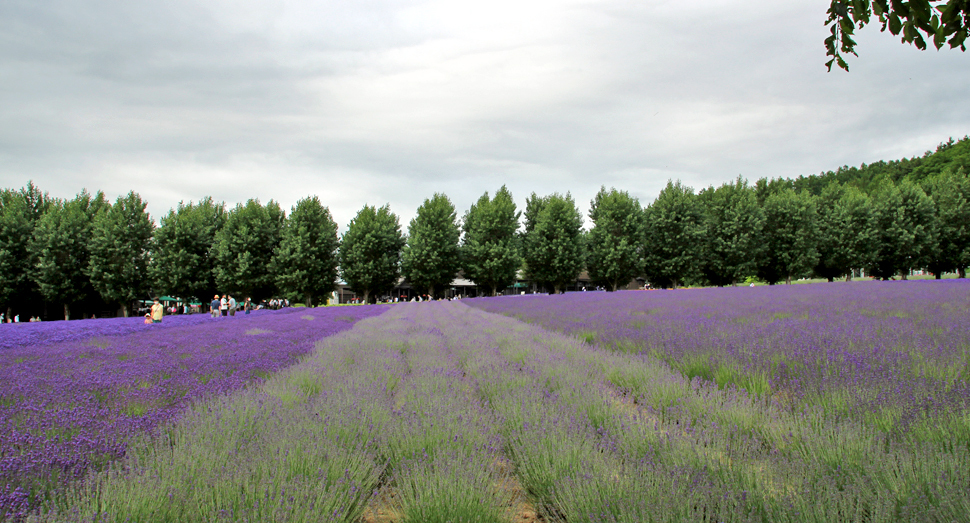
{"x": 885, "y": 352}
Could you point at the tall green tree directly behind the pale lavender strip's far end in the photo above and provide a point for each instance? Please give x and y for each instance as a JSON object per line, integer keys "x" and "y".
{"x": 431, "y": 258}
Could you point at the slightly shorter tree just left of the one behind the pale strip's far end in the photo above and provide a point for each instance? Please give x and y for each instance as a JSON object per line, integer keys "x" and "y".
{"x": 370, "y": 252}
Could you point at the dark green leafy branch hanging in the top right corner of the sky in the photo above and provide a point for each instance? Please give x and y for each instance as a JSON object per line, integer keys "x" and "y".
{"x": 912, "y": 20}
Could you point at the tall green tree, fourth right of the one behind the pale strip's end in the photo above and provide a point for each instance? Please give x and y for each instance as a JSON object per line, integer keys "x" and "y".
{"x": 673, "y": 234}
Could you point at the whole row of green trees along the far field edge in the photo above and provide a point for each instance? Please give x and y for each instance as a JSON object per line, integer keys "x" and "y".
{"x": 887, "y": 219}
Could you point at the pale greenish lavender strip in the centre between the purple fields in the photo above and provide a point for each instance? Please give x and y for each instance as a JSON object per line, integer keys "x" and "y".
{"x": 443, "y": 412}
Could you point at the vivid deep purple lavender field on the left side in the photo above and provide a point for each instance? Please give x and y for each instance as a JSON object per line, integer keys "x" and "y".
{"x": 71, "y": 407}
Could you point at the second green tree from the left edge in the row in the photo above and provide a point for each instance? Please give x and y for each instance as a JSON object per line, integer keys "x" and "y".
{"x": 61, "y": 249}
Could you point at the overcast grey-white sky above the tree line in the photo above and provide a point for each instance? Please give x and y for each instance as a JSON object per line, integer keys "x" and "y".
{"x": 377, "y": 102}
